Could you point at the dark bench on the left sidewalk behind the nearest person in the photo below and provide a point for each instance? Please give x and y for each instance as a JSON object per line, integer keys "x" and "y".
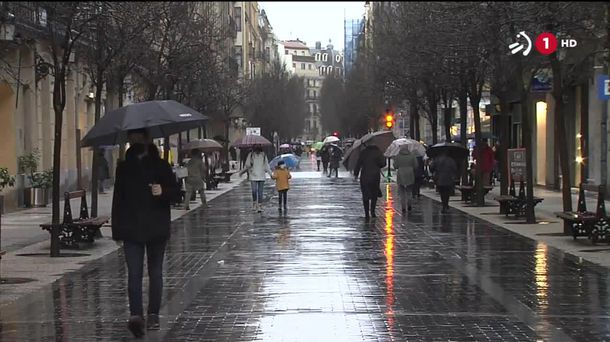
{"x": 83, "y": 229}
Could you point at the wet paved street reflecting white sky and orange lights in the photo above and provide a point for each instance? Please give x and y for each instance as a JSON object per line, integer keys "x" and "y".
{"x": 321, "y": 273}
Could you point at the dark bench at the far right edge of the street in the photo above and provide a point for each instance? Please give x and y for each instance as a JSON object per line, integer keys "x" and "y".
{"x": 582, "y": 222}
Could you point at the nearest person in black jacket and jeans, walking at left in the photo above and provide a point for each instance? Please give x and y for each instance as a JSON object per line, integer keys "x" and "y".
{"x": 144, "y": 189}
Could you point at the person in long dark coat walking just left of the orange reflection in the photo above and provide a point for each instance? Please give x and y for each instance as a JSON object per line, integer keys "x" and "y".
{"x": 369, "y": 165}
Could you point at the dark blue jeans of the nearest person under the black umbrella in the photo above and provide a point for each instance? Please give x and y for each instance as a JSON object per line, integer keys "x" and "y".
{"x": 134, "y": 256}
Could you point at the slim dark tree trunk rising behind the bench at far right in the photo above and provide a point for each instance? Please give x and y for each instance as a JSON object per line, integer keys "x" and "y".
{"x": 560, "y": 133}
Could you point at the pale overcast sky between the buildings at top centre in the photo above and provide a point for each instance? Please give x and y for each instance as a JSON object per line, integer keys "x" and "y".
{"x": 311, "y": 21}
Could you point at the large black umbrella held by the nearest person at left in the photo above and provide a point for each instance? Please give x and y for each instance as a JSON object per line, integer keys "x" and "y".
{"x": 160, "y": 118}
